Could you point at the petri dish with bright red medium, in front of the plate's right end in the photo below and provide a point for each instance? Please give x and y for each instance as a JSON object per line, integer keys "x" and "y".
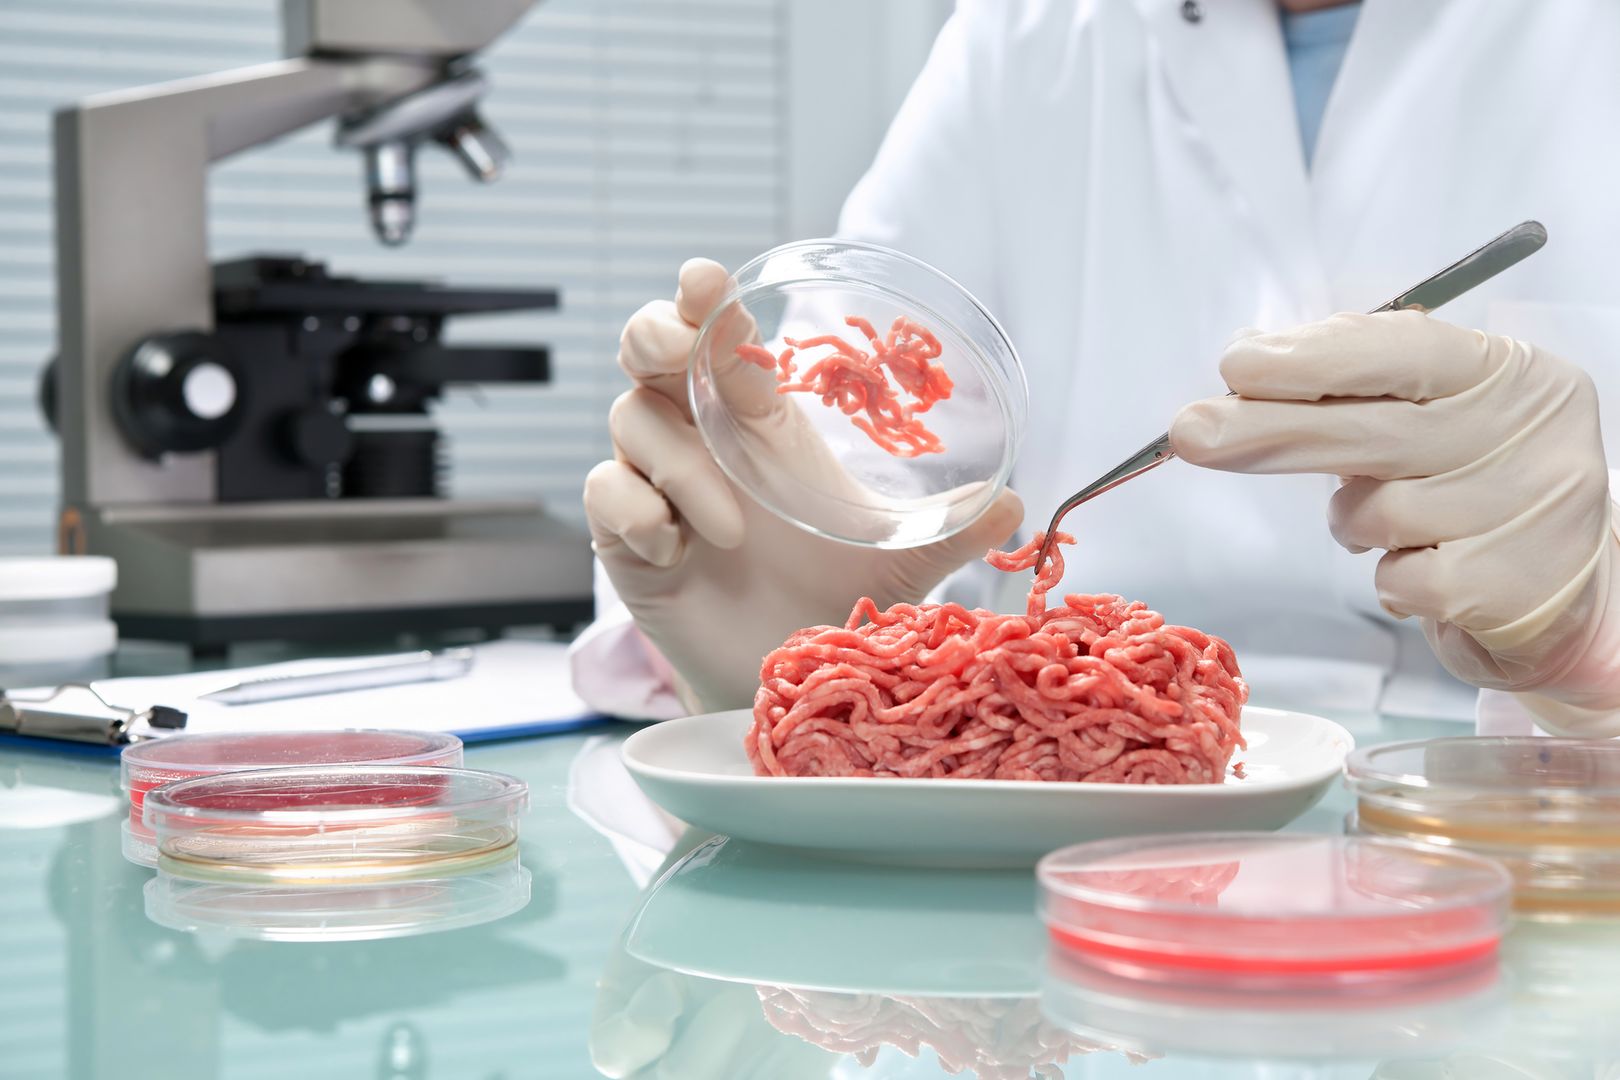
{"x": 1263, "y": 909}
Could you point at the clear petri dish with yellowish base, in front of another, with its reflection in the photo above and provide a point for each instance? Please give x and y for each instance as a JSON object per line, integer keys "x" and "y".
{"x": 336, "y": 853}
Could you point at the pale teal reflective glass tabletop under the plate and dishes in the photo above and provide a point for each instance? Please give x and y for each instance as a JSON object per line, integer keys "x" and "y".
{"x": 649, "y": 953}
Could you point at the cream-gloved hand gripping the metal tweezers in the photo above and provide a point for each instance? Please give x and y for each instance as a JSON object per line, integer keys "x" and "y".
{"x": 1477, "y": 462}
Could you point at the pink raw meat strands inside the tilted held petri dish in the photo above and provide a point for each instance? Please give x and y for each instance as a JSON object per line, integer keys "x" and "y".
{"x": 858, "y": 385}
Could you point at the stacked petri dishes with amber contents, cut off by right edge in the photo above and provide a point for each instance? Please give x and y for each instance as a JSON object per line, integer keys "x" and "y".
{"x": 1546, "y": 809}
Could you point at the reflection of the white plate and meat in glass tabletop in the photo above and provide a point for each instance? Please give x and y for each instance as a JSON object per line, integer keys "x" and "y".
{"x": 746, "y": 961}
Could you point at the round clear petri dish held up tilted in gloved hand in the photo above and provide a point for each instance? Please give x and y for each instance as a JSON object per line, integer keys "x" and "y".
{"x": 808, "y": 461}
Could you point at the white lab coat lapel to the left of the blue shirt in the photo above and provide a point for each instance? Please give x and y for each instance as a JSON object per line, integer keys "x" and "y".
{"x": 1227, "y": 74}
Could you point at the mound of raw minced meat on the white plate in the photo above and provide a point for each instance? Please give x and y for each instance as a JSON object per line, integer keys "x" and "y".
{"x": 1094, "y": 691}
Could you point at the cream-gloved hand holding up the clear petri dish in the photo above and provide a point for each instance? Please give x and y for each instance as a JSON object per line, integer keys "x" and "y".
{"x": 714, "y": 579}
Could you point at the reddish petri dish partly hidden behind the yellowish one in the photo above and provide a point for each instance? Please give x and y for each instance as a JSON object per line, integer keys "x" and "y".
{"x": 158, "y": 762}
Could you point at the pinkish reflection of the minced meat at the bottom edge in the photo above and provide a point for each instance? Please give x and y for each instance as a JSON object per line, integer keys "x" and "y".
{"x": 997, "y": 1039}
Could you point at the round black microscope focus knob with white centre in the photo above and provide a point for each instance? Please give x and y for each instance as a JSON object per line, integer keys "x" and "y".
{"x": 177, "y": 394}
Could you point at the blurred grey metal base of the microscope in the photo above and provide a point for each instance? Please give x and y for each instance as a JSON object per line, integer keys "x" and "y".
{"x": 216, "y": 574}
